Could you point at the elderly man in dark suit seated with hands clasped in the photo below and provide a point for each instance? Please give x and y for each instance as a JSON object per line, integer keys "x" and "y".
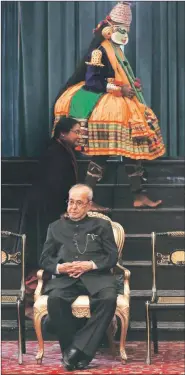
{"x": 80, "y": 250}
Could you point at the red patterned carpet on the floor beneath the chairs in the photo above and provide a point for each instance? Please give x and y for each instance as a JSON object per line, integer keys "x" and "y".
{"x": 170, "y": 360}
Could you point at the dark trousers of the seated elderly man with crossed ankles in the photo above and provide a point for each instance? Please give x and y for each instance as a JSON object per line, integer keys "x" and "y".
{"x": 88, "y": 338}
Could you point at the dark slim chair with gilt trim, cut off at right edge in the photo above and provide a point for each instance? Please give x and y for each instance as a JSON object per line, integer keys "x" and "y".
{"x": 165, "y": 263}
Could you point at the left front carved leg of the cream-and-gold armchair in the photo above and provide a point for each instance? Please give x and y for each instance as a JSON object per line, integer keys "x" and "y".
{"x": 38, "y": 329}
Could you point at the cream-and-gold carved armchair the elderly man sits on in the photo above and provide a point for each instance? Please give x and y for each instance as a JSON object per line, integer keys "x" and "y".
{"x": 81, "y": 308}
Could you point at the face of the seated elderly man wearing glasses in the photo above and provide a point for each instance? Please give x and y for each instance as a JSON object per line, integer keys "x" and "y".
{"x": 78, "y": 204}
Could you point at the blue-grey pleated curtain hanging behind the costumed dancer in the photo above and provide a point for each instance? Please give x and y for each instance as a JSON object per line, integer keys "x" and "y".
{"x": 54, "y": 36}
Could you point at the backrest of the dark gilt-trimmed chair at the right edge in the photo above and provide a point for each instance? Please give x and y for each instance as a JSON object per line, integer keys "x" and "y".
{"x": 168, "y": 262}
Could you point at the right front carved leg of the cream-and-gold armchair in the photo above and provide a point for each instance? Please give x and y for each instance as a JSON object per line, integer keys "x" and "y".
{"x": 124, "y": 317}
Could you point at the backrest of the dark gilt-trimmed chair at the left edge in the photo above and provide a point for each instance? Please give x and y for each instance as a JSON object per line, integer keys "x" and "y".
{"x": 13, "y": 266}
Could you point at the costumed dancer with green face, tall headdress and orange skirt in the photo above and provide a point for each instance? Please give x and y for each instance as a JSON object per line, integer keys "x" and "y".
{"x": 104, "y": 95}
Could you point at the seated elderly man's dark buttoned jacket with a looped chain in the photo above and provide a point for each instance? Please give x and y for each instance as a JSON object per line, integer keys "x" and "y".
{"x": 63, "y": 238}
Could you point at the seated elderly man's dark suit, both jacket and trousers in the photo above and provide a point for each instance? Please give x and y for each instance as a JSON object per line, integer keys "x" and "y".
{"x": 95, "y": 239}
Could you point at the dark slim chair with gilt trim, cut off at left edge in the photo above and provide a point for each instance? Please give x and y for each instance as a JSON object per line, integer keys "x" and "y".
{"x": 13, "y": 284}
